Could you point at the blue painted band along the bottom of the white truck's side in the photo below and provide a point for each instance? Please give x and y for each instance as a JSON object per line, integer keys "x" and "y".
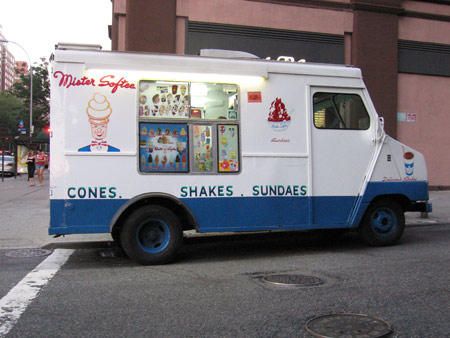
{"x": 76, "y": 216}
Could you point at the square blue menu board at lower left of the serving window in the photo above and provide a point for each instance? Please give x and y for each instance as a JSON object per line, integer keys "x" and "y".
{"x": 163, "y": 147}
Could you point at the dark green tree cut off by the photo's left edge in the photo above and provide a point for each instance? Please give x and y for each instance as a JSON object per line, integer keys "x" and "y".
{"x": 11, "y": 112}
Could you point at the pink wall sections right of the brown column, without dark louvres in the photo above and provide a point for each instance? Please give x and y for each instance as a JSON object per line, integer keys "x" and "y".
{"x": 426, "y": 96}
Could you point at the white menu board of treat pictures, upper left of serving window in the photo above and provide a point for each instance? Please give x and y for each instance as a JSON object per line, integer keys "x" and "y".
{"x": 164, "y": 99}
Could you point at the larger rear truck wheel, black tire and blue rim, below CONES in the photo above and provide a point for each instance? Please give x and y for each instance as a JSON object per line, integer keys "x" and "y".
{"x": 151, "y": 235}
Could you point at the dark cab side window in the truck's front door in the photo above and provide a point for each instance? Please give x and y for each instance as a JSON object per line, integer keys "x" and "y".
{"x": 340, "y": 111}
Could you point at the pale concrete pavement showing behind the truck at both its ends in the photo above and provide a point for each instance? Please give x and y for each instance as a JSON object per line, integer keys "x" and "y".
{"x": 24, "y": 215}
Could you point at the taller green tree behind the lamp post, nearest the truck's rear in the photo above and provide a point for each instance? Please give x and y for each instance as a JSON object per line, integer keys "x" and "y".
{"x": 41, "y": 96}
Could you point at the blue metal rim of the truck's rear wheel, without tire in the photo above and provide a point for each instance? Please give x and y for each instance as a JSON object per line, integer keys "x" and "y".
{"x": 153, "y": 236}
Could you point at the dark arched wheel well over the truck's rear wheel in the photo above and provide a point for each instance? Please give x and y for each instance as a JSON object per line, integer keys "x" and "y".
{"x": 185, "y": 216}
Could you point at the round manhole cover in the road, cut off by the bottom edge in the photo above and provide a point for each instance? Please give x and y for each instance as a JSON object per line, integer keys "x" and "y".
{"x": 347, "y": 325}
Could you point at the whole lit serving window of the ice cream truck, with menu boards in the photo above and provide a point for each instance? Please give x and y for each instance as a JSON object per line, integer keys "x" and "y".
{"x": 188, "y": 127}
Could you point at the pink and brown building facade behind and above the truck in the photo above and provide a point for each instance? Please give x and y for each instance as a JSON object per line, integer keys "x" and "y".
{"x": 402, "y": 47}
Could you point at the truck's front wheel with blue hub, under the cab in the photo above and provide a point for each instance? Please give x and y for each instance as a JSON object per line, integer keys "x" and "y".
{"x": 383, "y": 224}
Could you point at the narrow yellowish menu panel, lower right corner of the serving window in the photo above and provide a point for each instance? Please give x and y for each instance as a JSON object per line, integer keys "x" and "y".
{"x": 228, "y": 143}
